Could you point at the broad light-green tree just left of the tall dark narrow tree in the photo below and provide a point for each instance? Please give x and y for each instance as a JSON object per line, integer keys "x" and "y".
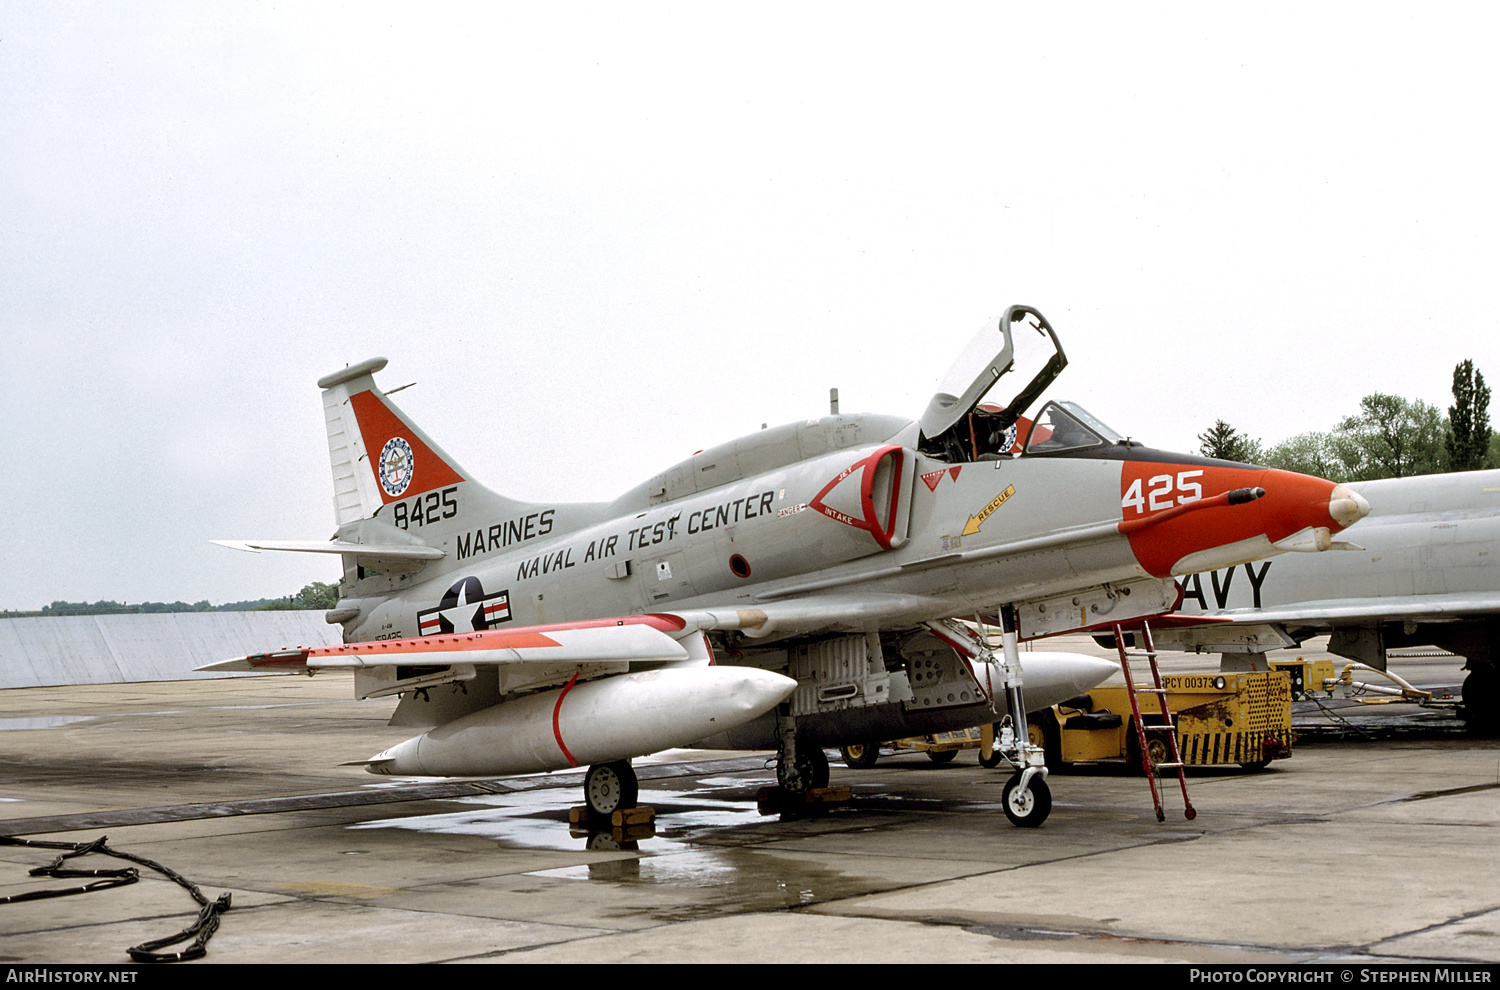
{"x": 1391, "y": 439}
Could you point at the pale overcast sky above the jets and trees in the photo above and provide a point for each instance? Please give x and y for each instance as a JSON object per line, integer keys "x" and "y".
{"x": 601, "y": 238}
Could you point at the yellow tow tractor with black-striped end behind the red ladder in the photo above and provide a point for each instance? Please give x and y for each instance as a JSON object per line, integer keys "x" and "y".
{"x": 1220, "y": 719}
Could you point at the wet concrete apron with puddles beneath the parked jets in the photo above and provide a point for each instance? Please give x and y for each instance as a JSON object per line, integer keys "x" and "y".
{"x": 1366, "y": 845}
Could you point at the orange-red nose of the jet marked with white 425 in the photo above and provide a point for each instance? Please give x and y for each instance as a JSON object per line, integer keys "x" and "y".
{"x": 1202, "y": 530}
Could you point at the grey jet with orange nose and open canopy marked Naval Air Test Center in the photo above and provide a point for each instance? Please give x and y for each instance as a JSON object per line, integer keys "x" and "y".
{"x": 803, "y": 587}
